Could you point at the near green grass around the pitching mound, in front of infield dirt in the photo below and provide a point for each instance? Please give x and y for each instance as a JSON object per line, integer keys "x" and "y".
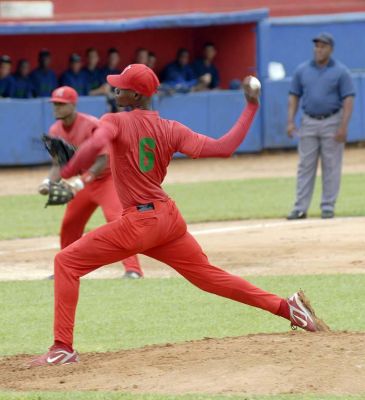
{"x": 171, "y": 310}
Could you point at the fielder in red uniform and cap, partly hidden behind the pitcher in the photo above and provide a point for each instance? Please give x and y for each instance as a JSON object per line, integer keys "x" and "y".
{"x": 96, "y": 183}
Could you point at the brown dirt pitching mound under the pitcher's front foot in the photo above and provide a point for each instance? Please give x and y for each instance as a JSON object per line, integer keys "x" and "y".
{"x": 298, "y": 362}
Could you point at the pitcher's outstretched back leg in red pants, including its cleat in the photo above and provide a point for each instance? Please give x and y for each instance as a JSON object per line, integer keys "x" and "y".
{"x": 187, "y": 258}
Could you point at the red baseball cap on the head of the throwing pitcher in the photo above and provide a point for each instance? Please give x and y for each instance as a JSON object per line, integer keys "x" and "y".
{"x": 137, "y": 77}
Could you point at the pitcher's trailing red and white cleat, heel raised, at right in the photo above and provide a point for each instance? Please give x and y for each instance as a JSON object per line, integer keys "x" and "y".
{"x": 303, "y": 316}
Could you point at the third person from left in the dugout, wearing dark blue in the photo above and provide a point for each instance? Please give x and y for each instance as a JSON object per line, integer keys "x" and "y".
{"x": 44, "y": 80}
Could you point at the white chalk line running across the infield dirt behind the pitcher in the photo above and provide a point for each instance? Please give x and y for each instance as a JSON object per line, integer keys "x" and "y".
{"x": 211, "y": 231}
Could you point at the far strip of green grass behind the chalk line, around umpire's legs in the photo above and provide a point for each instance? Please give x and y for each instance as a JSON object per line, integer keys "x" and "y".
{"x": 25, "y": 216}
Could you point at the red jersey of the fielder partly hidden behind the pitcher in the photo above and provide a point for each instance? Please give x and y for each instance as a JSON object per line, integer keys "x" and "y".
{"x": 82, "y": 129}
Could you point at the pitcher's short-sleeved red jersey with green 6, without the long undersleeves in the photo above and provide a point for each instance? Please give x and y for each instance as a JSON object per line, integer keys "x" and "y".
{"x": 142, "y": 145}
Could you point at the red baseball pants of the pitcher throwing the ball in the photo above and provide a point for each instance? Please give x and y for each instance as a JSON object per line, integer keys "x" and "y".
{"x": 160, "y": 233}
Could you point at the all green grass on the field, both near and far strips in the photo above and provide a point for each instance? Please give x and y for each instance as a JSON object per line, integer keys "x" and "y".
{"x": 171, "y": 309}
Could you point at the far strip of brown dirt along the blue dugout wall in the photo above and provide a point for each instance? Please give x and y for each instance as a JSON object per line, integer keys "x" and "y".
{"x": 263, "y": 165}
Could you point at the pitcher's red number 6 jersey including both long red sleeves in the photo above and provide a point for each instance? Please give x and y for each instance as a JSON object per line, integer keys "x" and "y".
{"x": 142, "y": 145}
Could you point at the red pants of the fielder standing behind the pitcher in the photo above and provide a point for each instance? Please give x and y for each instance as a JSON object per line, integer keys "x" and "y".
{"x": 100, "y": 192}
